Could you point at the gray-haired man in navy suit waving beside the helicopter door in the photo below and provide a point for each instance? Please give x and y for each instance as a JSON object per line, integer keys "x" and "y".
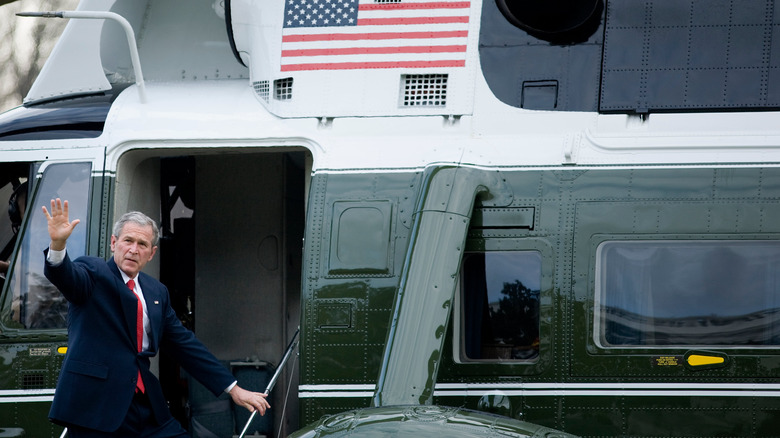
{"x": 118, "y": 318}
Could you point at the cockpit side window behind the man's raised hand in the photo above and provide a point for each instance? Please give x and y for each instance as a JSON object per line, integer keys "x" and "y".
{"x": 31, "y": 301}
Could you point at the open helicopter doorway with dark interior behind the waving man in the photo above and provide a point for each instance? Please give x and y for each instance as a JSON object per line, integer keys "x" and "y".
{"x": 231, "y": 230}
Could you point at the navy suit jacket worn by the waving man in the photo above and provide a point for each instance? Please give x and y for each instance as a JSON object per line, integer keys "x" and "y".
{"x": 99, "y": 373}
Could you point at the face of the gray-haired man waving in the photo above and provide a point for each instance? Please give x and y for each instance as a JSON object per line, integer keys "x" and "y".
{"x": 133, "y": 248}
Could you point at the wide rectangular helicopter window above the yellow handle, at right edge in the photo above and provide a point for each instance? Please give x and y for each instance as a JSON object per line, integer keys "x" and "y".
{"x": 688, "y": 293}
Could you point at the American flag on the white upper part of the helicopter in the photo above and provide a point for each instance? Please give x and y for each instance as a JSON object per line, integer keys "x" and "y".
{"x": 367, "y": 34}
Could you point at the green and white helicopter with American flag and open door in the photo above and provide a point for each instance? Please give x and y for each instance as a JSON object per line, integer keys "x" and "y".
{"x": 488, "y": 218}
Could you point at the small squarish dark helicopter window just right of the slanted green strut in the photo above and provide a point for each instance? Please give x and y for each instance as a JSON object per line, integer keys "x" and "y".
{"x": 500, "y": 305}
